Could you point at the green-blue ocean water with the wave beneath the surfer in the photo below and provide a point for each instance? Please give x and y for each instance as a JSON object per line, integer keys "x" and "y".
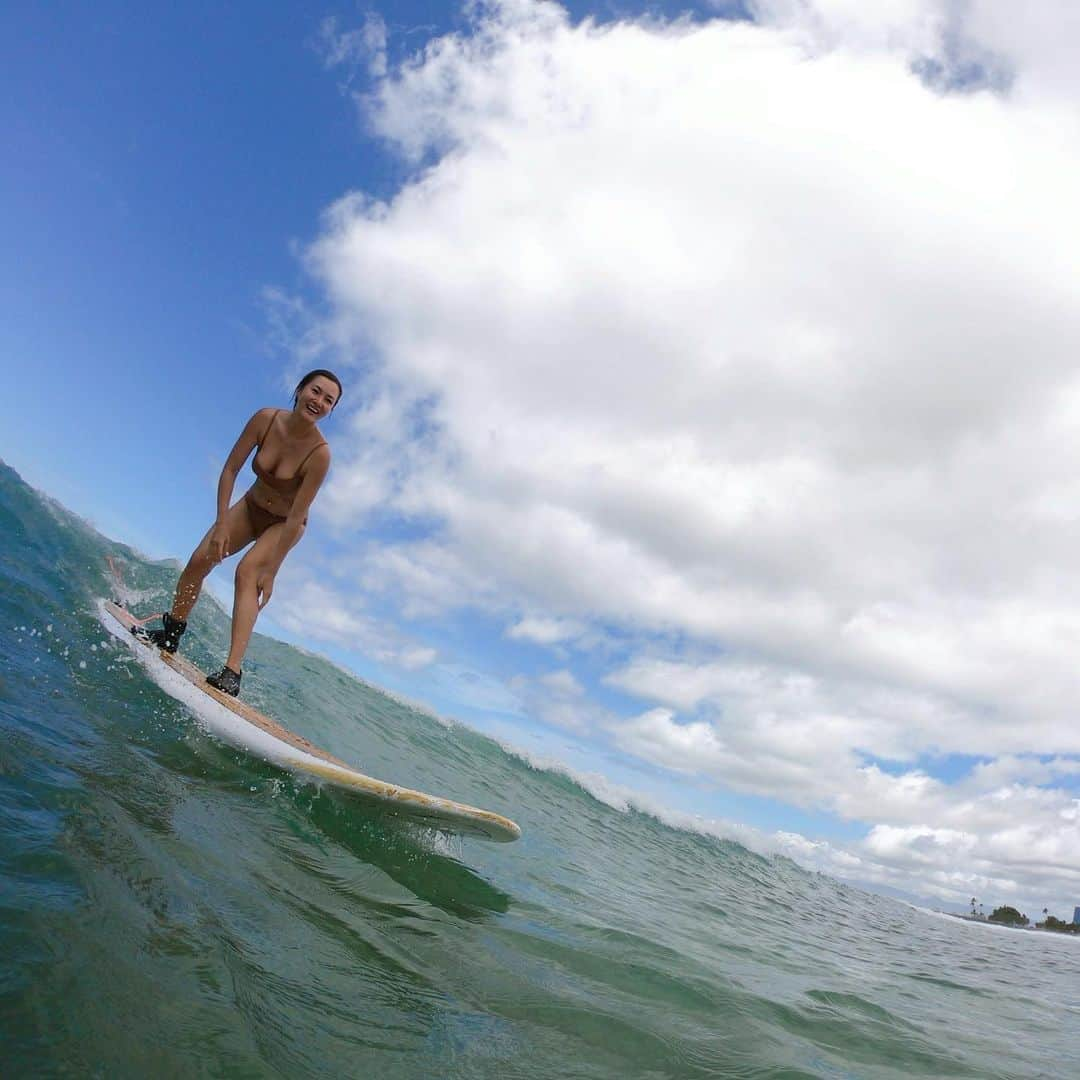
{"x": 173, "y": 908}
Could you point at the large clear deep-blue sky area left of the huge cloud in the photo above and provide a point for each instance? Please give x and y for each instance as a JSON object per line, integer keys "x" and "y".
{"x": 140, "y": 206}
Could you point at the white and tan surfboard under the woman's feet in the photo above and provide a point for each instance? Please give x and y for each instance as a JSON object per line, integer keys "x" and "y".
{"x": 240, "y": 725}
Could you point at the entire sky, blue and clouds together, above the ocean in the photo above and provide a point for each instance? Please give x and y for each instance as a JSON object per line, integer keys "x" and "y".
{"x": 701, "y": 380}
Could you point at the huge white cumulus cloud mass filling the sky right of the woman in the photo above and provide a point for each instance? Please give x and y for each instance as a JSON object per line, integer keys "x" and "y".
{"x": 760, "y": 337}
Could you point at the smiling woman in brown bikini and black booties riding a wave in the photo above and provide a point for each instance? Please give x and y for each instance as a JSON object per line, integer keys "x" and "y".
{"x": 291, "y": 463}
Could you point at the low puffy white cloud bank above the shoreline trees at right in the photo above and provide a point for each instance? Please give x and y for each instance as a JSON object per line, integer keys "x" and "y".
{"x": 1005, "y": 830}
